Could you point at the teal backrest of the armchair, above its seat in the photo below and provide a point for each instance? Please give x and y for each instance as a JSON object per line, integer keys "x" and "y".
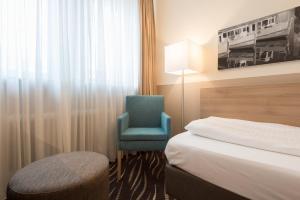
{"x": 144, "y": 111}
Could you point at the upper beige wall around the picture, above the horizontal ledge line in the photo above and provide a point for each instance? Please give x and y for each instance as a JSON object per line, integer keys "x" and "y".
{"x": 200, "y": 20}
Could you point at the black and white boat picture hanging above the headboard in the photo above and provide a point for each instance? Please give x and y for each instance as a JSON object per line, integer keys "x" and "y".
{"x": 270, "y": 39}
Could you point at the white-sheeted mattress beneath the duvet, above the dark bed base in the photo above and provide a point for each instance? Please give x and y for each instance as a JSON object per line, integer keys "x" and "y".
{"x": 249, "y": 172}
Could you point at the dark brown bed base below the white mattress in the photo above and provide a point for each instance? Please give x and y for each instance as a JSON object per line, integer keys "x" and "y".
{"x": 184, "y": 186}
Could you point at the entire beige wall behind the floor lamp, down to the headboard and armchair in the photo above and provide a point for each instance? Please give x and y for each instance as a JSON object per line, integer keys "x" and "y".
{"x": 199, "y": 21}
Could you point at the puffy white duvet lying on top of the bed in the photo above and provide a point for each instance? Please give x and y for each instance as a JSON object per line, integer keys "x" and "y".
{"x": 267, "y": 136}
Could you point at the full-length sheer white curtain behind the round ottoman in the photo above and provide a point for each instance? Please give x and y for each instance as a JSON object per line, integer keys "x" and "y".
{"x": 65, "y": 67}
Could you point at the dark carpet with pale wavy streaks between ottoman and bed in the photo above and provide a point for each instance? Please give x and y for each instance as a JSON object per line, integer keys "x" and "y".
{"x": 142, "y": 178}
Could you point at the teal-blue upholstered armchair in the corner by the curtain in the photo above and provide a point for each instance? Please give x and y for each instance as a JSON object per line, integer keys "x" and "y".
{"x": 144, "y": 126}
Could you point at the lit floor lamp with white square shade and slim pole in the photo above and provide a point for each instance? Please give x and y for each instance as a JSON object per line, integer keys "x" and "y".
{"x": 182, "y": 58}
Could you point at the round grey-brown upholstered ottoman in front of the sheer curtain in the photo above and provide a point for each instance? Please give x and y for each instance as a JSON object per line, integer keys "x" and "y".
{"x": 69, "y": 176}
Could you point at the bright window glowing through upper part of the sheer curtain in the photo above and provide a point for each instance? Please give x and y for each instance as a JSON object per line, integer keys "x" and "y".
{"x": 102, "y": 43}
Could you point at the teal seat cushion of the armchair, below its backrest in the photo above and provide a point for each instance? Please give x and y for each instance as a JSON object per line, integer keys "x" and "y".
{"x": 143, "y": 134}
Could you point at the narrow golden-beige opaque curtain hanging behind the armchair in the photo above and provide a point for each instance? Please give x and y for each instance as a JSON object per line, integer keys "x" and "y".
{"x": 148, "y": 47}
